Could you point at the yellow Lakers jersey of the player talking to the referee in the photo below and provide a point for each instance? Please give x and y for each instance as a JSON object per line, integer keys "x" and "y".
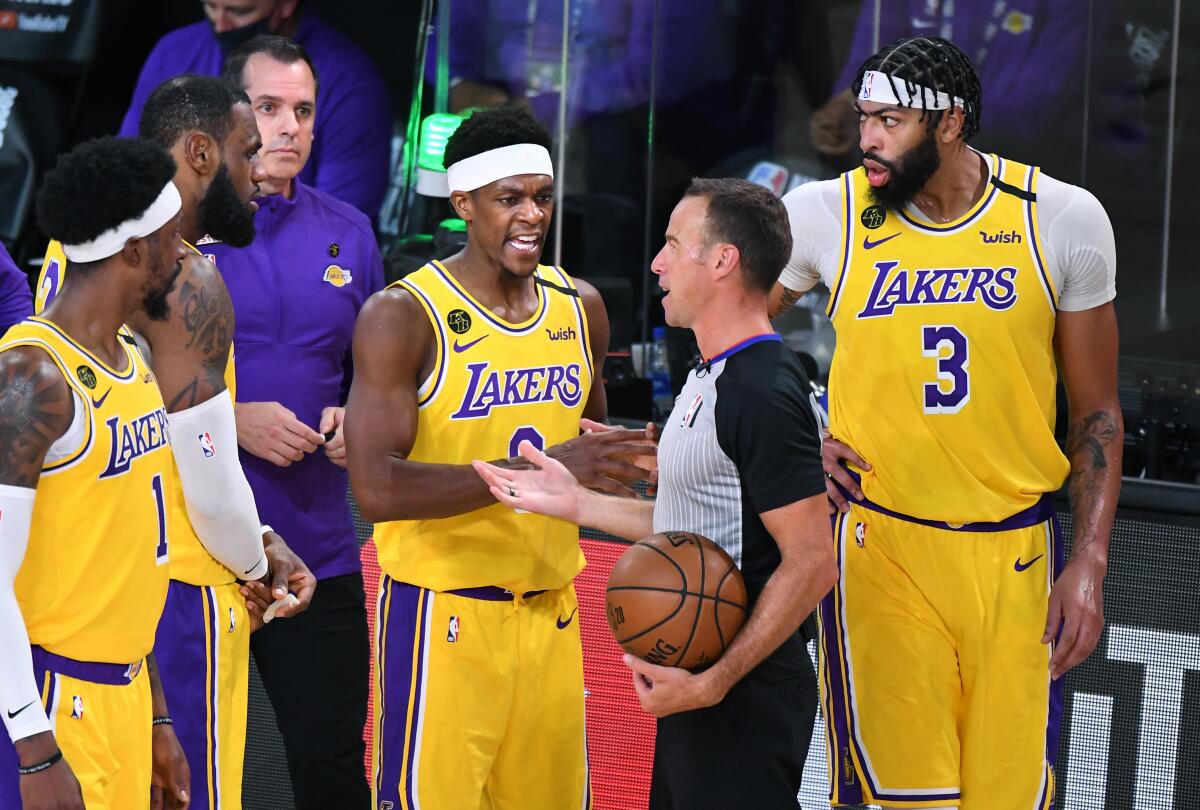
{"x": 494, "y": 385}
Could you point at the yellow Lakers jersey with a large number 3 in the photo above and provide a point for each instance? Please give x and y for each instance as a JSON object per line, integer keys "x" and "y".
{"x": 944, "y": 377}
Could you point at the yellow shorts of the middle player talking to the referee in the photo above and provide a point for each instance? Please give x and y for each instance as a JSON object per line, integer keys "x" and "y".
{"x": 479, "y": 701}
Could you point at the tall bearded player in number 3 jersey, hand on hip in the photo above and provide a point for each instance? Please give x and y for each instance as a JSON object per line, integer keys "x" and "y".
{"x": 957, "y": 278}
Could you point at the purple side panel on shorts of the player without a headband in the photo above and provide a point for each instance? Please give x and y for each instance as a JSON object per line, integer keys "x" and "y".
{"x": 183, "y": 658}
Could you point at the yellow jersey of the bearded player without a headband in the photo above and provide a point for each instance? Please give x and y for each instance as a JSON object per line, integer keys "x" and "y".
{"x": 191, "y": 562}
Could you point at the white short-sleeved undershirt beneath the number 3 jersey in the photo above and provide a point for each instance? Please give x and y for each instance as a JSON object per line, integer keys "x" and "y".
{"x": 1075, "y": 230}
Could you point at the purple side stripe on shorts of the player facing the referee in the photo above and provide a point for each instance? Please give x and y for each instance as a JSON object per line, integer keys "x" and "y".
{"x": 400, "y": 625}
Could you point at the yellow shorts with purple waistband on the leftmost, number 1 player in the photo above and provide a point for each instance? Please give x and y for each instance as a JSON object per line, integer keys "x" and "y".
{"x": 103, "y": 729}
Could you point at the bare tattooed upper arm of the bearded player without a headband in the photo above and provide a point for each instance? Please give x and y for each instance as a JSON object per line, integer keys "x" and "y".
{"x": 191, "y": 347}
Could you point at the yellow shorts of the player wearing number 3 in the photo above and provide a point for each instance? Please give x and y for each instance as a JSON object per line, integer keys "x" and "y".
{"x": 935, "y": 682}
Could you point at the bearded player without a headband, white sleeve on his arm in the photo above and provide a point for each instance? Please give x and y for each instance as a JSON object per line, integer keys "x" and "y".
{"x": 218, "y": 541}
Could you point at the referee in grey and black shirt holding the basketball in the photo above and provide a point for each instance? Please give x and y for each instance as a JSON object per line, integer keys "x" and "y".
{"x": 739, "y": 463}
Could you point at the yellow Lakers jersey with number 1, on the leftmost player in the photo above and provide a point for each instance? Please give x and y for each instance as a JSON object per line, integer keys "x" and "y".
{"x": 94, "y": 580}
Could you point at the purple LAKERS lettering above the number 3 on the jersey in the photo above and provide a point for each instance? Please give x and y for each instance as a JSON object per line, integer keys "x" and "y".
{"x": 895, "y": 286}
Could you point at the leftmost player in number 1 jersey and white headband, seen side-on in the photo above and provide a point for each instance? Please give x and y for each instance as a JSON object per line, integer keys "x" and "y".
{"x": 85, "y": 475}
